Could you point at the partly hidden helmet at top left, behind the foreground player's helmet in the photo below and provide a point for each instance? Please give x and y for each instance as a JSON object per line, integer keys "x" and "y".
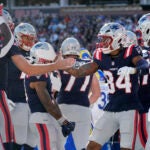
{"x": 8, "y": 19}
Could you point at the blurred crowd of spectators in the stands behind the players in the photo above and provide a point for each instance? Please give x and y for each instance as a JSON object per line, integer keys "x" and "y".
{"x": 54, "y": 28}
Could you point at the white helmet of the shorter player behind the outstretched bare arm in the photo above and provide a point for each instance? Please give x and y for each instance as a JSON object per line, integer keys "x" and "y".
{"x": 42, "y": 52}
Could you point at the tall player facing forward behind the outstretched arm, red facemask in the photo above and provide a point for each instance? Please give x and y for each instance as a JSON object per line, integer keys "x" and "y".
{"x": 25, "y": 37}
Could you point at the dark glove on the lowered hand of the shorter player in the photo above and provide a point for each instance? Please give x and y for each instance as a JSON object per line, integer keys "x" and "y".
{"x": 67, "y": 128}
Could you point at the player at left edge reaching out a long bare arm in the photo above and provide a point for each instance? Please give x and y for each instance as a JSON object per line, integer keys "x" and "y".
{"x": 10, "y": 51}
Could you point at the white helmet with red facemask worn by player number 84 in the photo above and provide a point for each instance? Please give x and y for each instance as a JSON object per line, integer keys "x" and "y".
{"x": 111, "y": 37}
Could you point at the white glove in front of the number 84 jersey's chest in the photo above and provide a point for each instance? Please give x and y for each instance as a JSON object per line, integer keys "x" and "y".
{"x": 126, "y": 70}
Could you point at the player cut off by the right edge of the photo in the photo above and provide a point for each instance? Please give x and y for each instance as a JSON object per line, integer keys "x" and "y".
{"x": 144, "y": 91}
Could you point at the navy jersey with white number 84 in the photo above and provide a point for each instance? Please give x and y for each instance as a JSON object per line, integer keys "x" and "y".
{"x": 123, "y": 90}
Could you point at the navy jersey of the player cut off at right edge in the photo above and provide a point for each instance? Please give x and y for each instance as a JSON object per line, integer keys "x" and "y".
{"x": 144, "y": 90}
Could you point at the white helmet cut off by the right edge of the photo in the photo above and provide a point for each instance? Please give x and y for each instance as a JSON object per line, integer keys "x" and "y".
{"x": 144, "y": 28}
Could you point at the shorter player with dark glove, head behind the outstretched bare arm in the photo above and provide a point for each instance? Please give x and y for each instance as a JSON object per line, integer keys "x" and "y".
{"x": 46, "y": 119}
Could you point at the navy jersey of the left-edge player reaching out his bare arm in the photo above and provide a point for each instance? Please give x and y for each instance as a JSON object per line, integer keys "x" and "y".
{"x": 4, "y": 67}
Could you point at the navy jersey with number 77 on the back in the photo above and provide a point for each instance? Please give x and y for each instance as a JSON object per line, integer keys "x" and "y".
{"x": 74, "y": 90}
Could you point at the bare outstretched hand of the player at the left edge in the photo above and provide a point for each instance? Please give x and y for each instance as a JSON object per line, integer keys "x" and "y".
{"x": 64, "y": 63}
